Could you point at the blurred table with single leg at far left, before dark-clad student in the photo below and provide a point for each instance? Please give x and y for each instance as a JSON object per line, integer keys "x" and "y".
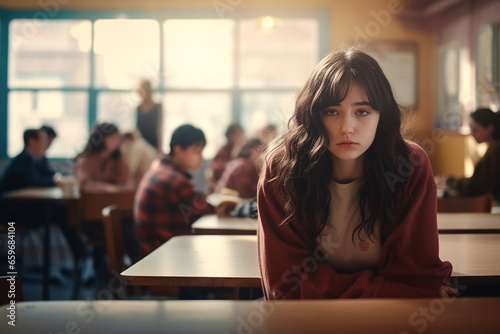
{"x": 46, "y": 195}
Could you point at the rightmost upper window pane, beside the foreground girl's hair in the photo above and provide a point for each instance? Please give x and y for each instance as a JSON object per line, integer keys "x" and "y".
{"x": 276, "y": 52}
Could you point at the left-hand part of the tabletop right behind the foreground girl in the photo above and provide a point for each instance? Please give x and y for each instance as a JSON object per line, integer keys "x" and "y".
{"x": 199, "y": 260}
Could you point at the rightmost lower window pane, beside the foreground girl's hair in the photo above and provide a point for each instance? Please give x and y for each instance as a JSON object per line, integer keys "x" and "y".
{"x": 262, "y": 109}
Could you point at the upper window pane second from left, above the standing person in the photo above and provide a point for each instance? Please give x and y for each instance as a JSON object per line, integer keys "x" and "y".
{"x": 126, "y": 51}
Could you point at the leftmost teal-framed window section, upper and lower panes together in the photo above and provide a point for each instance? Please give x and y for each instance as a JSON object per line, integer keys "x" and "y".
{"x": 48, "y": 78}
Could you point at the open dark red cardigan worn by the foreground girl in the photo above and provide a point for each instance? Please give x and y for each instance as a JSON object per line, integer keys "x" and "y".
{"x": 292, "y": 268}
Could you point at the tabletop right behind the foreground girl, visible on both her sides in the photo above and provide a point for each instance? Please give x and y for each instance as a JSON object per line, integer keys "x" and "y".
{"x": 231, "y": 261}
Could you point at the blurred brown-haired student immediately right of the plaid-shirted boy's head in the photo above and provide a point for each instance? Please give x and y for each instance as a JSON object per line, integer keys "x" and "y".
{"x": 234, "y": 135}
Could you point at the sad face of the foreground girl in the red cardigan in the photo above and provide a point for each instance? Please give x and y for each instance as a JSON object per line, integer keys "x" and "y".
{"x": 351, "y": 125}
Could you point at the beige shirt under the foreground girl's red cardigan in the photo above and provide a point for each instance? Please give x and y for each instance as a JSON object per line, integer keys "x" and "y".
{"x": 345, "y": 253}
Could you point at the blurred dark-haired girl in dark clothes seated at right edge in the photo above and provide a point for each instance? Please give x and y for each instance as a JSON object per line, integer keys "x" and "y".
{"x": 485, "y": 128}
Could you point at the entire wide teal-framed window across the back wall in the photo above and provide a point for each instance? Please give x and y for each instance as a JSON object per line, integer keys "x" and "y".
{"x": 70, "y": 73}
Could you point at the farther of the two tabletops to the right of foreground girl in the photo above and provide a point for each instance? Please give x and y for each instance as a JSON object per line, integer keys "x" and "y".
{"x": 468, "y": 223}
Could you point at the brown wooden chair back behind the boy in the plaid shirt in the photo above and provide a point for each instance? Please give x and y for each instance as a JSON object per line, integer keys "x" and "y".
{"x": 112, "y": 216}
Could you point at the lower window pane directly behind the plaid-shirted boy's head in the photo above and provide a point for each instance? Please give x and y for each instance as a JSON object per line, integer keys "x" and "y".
{"x": 210, "y": 112}
